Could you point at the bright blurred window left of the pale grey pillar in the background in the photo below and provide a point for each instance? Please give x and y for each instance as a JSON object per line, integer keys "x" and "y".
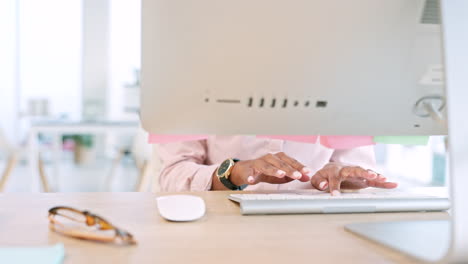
{"x": 50, "y": 55}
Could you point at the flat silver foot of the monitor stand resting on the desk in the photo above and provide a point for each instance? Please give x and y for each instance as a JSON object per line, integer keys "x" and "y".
{"x": 426, "y": 240}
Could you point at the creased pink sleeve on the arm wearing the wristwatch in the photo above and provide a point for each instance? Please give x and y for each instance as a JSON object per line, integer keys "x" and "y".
{"x": 183, "y": 167}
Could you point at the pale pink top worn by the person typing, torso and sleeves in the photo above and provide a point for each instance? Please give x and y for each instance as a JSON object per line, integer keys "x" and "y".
{"x": 189, "y": 165}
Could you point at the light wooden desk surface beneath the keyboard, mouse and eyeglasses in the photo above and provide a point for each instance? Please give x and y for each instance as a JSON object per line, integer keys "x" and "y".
{"x": 222, "y": 236}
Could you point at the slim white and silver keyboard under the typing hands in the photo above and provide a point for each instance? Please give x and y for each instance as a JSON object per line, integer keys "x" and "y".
{"x": 319, "y": 202}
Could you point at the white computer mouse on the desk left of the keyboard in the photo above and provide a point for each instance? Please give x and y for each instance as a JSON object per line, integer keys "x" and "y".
{"x": 180, "y": 207}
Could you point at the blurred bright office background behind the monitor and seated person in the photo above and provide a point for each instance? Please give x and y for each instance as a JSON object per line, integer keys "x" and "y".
{"x": 69, "y": 85}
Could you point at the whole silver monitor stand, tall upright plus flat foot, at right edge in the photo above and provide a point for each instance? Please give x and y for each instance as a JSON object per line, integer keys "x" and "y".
{"x": 434, "y": 240}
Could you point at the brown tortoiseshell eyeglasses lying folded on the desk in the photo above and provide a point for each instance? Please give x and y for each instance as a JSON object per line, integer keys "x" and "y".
{"x": 84, "y": 225}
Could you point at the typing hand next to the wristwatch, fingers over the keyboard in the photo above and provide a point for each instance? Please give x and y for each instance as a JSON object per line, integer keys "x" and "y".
{"x": 275, "y": 168}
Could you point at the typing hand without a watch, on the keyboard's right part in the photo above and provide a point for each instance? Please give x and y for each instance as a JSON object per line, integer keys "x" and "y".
{"x": 335, "y": 176}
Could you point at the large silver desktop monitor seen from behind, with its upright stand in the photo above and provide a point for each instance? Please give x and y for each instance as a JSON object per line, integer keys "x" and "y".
{"x": 299, "y": 67}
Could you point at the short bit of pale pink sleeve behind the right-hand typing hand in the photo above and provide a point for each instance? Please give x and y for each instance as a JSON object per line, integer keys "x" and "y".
{"x": 360, "y": 156}
